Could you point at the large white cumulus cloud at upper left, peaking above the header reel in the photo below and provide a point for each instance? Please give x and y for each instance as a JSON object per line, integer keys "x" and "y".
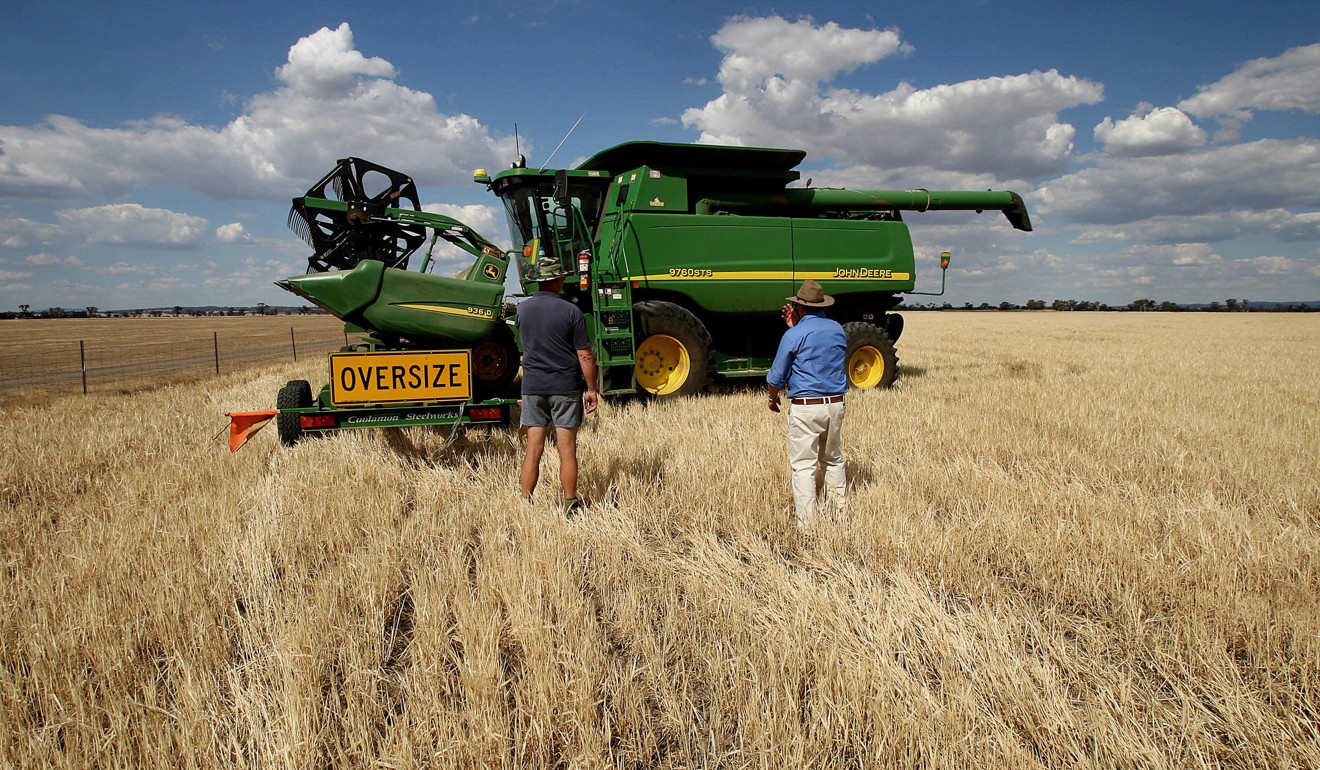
{"x": 333, "y": 101}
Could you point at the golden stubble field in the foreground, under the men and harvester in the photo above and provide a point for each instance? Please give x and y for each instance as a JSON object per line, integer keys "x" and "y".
{"x": 1074, "y": 541}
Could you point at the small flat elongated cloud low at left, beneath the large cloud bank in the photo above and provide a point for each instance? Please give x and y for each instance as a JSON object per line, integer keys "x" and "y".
{"x": 134, "y": 225}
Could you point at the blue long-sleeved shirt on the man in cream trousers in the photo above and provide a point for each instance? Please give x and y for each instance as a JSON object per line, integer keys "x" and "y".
{"x": 810, "y": 361}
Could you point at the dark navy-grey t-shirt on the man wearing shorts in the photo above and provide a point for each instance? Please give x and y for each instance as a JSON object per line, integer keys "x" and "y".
{"x": 554, "y": 331}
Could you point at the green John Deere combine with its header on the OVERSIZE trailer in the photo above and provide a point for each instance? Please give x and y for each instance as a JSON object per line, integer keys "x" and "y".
{"x": 680, "y": 258}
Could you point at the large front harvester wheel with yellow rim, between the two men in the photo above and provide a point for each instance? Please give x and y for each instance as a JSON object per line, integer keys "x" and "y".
{"x": 675, "y": 355}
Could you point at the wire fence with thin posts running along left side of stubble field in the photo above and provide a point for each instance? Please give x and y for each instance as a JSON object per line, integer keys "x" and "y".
{"x": 86, "y": 367}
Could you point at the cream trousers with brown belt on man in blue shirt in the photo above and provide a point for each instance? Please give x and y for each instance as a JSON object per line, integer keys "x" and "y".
{"x": 816, "y": 448}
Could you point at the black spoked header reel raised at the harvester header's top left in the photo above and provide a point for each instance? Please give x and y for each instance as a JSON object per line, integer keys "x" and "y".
{"x": 344, "y": 219}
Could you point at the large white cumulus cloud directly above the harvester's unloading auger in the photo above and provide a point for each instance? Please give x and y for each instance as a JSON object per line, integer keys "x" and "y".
{"x": 775, "y": 77}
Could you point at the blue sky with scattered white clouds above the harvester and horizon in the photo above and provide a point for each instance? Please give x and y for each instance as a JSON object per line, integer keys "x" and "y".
{"x": 1170, "y": 151}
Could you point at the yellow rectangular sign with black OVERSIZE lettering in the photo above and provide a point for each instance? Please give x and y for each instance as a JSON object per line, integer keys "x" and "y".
{"x": 387, "y": 378}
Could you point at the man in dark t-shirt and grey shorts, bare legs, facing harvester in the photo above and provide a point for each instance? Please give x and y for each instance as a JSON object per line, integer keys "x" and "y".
{"x": 556, "y": 361}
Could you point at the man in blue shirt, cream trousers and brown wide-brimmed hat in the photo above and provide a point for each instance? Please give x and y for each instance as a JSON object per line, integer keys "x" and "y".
{"x": 810, "y": 364}
